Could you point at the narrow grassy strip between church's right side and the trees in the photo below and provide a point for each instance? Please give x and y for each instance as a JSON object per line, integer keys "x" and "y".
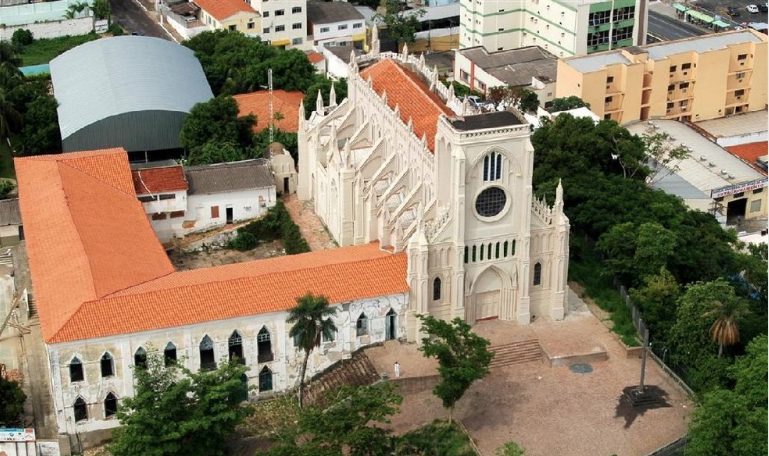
{"x": 586, "y": 269}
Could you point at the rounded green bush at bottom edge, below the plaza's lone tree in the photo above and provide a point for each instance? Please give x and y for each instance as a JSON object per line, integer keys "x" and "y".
{"x": 436, "y": 439}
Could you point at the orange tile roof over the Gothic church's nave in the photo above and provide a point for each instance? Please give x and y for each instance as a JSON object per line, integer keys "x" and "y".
{"x": 414, "y": 98}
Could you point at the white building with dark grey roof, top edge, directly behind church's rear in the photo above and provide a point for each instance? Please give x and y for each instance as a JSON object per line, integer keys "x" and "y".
{"x": 335, "y": 24}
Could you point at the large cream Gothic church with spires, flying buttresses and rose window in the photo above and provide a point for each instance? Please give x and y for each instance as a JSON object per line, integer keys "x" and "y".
{"x": 396, "y": 163}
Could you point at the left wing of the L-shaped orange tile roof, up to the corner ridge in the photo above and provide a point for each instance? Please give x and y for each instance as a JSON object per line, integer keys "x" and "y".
{"x": 87, "y": 234}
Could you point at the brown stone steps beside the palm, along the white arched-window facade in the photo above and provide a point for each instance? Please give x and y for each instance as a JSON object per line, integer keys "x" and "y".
{"x": 357, "y": 371}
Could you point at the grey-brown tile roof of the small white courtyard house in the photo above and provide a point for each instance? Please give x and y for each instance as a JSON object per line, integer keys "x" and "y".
{"x": 228, "y": 177}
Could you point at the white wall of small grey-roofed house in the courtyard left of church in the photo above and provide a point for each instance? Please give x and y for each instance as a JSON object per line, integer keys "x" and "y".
{"x": 245, "y": 205}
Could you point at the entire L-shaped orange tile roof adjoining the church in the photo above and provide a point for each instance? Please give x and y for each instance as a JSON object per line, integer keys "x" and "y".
{"x": 98, "y": 270}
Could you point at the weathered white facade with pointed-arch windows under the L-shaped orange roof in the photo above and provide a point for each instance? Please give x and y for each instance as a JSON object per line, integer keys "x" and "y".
{"x": 285, "y": 365}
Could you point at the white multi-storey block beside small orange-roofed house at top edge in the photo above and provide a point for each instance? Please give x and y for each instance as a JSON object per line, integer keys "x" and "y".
{"x": 284, "y": 23}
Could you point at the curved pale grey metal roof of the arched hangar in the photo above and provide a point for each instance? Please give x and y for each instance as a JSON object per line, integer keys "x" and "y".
{"x": 118, "y": 75}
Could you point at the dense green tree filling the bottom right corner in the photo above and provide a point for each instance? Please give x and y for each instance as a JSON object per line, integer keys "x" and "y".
{"x": 734, "y": 423}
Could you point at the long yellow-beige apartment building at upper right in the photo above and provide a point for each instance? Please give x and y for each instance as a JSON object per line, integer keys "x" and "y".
{"x": 693, "y": 79}
